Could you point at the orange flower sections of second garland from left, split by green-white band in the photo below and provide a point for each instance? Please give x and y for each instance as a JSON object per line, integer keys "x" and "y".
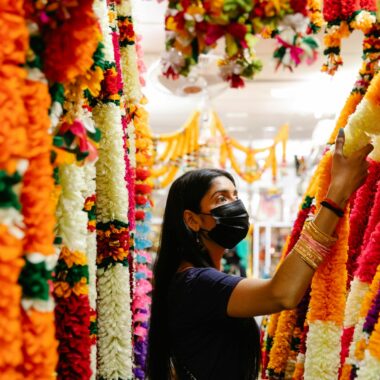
{"x": 39, "y": 344}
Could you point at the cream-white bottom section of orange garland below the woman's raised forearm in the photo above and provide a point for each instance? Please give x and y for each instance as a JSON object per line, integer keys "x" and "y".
{"x": 327, "y": 335}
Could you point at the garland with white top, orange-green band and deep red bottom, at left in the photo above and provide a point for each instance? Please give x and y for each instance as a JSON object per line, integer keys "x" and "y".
{"x": 71, "y": 278}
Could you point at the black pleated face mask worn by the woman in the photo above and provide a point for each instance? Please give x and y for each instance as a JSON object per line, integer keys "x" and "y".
{"x": 232, "y": 224}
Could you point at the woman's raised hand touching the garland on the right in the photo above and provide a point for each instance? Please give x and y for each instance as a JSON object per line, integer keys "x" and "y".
{"x": 347, "y": 173}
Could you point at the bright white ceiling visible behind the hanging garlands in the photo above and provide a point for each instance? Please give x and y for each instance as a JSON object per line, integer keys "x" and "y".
{"x": 301, "y": 98}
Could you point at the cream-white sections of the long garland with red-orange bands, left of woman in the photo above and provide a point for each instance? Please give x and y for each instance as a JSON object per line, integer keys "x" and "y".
{"x": 113, "y": 297}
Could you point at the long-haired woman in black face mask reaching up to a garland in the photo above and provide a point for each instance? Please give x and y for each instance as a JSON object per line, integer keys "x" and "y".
{"x": 202, "y": 324}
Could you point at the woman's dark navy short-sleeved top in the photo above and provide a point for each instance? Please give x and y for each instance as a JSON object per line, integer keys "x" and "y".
{"x": 204, "y": 340}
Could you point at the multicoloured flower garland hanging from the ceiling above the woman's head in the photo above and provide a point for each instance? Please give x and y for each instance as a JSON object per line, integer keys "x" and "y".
{"x": 193, "y": 28}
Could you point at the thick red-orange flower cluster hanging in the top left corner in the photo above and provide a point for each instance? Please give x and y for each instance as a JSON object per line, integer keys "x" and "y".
{"x": 69, "y": 24}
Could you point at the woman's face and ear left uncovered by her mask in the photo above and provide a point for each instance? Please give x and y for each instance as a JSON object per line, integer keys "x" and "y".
{"x": 221, "y": 192}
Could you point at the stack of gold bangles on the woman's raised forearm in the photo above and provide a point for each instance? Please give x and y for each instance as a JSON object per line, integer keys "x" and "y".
{"x": 314, "y": 245}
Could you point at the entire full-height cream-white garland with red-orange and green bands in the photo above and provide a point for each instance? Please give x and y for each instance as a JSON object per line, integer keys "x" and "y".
{"x": 114, "y": 313}
